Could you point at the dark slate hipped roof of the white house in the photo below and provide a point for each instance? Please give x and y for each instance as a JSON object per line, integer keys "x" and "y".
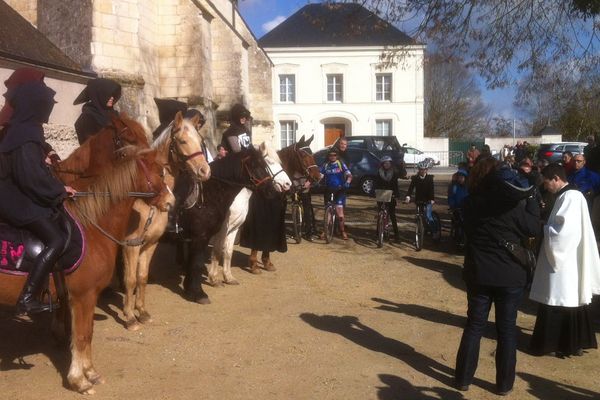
{"x": 334, "y": 25}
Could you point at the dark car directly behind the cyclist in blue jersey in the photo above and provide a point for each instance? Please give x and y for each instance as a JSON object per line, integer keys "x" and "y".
{"x": 363, "y": 165}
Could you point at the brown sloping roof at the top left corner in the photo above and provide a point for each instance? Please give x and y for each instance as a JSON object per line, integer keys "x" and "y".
{"x": 21, "y": 41}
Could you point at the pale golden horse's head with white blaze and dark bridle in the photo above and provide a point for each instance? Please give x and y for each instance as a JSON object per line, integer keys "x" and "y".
{"x": 185, "y": 146}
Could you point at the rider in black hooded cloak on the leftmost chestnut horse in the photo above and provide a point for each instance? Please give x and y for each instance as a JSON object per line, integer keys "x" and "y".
{"x": 31, "y": 195}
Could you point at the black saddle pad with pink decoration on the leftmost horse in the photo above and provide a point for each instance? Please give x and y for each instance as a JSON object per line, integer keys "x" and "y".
{"x": 19, "y": 248}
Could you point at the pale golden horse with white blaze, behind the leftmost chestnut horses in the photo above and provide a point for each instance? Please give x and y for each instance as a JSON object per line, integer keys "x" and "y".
{"x": 179, "y": 147}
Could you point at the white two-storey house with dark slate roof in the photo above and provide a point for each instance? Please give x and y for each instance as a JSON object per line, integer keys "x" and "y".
{"x": 328, "y": 80}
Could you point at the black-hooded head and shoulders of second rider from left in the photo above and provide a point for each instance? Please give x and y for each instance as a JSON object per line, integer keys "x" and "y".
{"x": 100, "y": 95}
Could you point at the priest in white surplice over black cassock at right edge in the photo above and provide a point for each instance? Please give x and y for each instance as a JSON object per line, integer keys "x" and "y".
{"x": 567, "y": 273}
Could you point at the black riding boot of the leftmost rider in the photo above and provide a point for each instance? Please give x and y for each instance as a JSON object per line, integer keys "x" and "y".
{"x": 29, "y": 300}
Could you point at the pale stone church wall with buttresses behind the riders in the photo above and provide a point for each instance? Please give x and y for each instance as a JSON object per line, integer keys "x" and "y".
{"x": 197, "y": 51}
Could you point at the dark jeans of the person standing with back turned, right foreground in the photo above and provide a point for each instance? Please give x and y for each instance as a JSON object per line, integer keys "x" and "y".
{"x": 480, "y": 299}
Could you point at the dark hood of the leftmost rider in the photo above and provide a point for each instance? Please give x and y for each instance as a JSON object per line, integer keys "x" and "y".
{"x": 33, "y": 103}
